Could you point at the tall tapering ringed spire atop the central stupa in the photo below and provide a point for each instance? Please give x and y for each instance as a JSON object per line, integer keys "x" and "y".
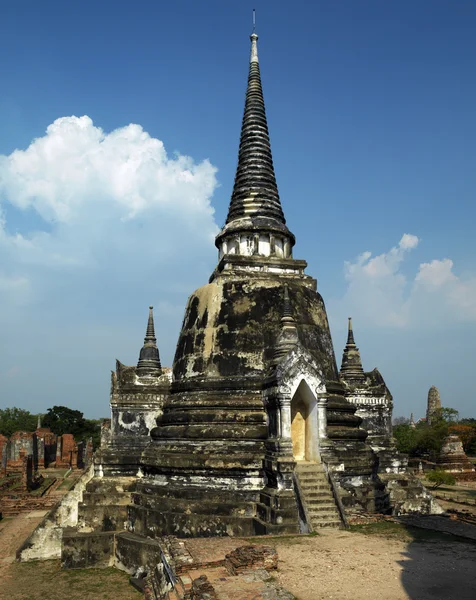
{"x": 255, "y": 206}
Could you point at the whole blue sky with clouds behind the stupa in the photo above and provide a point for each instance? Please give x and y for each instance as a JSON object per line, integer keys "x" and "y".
{"x": 119, "y": 129}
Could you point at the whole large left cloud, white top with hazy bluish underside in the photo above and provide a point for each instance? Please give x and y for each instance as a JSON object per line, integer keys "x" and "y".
{"x": 107, "y": 200}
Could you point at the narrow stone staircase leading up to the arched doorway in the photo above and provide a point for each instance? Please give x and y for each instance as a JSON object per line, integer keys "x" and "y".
{"x": 316, "y": 496}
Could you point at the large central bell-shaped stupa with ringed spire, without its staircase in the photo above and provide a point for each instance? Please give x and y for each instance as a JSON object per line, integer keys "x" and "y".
{"x": 255, "y": 387}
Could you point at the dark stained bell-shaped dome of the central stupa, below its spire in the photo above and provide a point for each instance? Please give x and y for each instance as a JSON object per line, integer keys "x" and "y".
{"x": 231, "y": 326}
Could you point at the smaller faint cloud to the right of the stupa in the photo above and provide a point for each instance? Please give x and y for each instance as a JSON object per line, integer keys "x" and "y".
{"x": 380, "y": 294}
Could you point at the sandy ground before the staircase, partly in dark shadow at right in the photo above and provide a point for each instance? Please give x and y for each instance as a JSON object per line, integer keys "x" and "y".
{"x": 340, "y": 565}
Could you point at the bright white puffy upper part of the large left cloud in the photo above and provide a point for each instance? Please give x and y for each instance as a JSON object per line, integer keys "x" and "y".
{"x": 76, "y": 166}
